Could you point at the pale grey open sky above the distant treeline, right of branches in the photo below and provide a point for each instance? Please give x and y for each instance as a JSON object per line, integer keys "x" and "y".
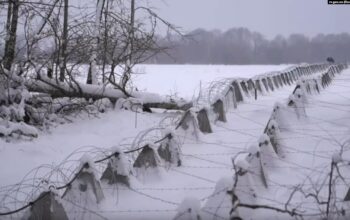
{"x": 269, "y": 17}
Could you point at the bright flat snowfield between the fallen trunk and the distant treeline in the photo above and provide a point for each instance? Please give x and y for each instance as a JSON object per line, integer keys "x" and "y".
{"x": 185, "y": 80}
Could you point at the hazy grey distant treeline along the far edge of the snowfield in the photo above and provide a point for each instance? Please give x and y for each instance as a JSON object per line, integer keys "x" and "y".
{"x": 241, "y": 46}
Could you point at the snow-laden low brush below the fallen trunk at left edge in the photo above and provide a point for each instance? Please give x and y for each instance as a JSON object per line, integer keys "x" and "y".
{"x": 23, "y": 113}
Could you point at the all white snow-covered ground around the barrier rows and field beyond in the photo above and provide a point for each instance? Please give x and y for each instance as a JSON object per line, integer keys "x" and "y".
{"x": 308, "y": 141}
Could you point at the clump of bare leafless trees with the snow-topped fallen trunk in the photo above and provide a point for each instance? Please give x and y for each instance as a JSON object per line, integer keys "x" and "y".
{"x": 126, "y": 42}
